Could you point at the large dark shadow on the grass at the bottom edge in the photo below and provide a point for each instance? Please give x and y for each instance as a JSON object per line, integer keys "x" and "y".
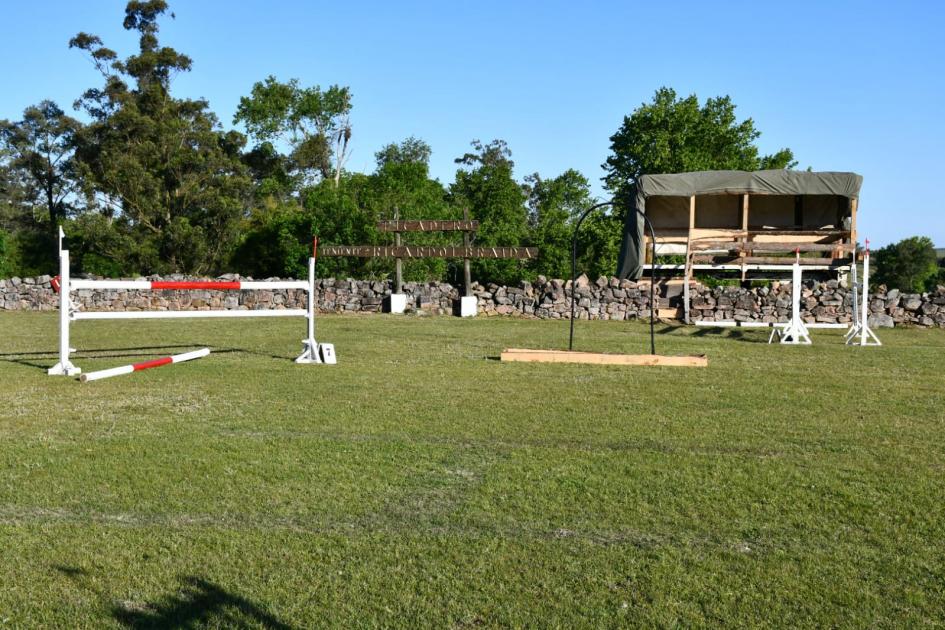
{"x": 198, "y": 603}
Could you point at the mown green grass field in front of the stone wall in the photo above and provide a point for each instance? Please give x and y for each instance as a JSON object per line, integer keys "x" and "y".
{"x": 420, "y": 482}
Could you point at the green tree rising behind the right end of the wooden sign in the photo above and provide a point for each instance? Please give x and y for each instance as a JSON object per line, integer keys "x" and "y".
{"x": 484, "y": 184}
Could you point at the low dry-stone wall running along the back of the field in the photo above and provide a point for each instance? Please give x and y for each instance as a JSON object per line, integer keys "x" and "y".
{"x": 607, "y": 298}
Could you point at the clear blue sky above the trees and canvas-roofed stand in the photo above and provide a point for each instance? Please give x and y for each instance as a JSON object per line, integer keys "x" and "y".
{"x": 851, "y": 86}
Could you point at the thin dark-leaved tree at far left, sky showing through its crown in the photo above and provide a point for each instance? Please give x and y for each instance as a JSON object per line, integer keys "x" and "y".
{"x": 41, "y": 150}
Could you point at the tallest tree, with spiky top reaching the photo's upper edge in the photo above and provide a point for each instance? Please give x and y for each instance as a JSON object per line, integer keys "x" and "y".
{"x": 160, "y": 167}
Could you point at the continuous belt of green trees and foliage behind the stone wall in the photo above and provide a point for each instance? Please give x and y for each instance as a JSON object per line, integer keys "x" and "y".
{"x": 148, "y": 182}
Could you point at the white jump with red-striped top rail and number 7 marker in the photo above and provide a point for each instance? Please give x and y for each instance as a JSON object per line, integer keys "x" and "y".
{"x": 69, "y": 312}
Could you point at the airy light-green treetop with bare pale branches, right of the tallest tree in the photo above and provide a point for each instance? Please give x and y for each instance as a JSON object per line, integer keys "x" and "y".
{"x": 315, "y": 123}
